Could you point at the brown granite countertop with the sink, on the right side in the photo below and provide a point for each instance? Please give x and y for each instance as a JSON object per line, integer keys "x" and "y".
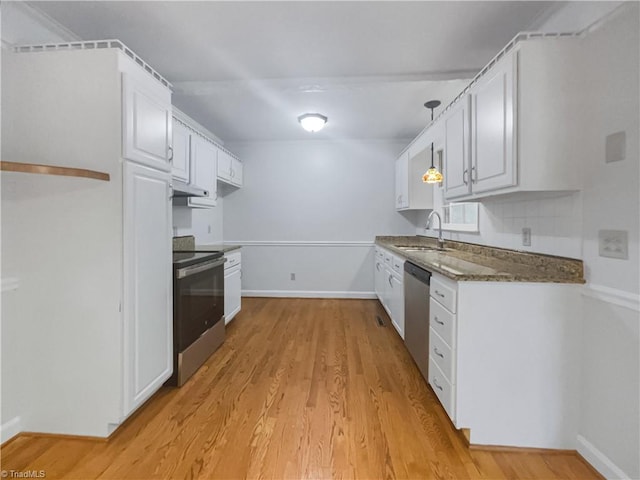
{"x": 469, "y": 262}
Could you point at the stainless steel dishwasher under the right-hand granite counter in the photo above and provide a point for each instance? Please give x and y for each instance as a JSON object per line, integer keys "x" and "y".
{"x": 416, "y": 315}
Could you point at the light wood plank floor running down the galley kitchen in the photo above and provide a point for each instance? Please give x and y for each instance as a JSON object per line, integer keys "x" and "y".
{"x": 301, "y": 389}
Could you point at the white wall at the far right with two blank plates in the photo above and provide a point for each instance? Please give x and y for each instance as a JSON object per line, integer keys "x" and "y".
{"x": 610, "y": 425}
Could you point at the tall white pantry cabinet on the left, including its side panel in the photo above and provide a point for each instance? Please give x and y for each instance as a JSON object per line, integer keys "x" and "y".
{"x": 104, "y": 345}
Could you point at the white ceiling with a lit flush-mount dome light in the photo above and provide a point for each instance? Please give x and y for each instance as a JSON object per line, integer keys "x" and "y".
{"x": 246, "y": 70}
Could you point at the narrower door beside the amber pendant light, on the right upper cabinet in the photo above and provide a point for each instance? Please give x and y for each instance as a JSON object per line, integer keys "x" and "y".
{"x": 456, "y": 151}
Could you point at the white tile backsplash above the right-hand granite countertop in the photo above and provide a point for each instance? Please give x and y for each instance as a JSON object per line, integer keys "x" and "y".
{"x": 555, "y": 221}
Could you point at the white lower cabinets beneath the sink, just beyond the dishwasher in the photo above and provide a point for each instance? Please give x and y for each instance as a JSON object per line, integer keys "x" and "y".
{"x": 388, "y": 281}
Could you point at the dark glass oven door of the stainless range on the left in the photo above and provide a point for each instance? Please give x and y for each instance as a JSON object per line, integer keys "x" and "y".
{"x": 198, "y": 300}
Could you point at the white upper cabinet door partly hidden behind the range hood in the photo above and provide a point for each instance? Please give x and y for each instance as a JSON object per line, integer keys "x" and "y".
{"x": 204, "y": 157}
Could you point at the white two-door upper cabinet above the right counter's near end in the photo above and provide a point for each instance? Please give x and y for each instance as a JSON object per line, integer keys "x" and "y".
{"x": 502, "y": 135}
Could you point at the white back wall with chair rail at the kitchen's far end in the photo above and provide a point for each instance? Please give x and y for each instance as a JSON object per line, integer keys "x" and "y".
{"x": 313, "y": 208}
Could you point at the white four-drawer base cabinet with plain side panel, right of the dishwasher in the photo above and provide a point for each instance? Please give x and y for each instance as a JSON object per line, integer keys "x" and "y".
{"x": 502, "y": 360}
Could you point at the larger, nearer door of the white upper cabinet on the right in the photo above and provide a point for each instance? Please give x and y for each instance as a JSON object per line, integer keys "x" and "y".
{"x": 492, "y": 129}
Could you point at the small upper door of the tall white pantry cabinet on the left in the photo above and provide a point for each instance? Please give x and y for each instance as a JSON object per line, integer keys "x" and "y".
{"x": 147, "y": 122}
